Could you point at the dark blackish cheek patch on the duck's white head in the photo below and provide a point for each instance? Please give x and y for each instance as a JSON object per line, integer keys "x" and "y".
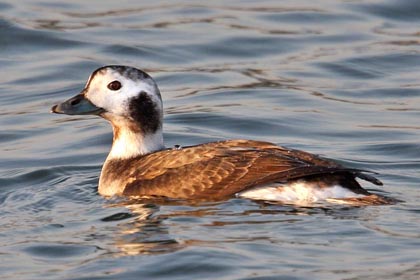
{"x": 144, "y": 111}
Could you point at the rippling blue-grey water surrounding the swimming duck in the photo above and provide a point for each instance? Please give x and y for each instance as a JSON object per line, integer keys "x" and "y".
{"x": 337, "y": 78}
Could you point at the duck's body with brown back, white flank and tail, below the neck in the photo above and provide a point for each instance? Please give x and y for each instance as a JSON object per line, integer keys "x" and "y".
{"x": 219, "y": 170}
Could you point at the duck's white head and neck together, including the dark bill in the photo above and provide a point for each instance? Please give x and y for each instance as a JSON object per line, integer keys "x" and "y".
{"x": 130, "y": 99}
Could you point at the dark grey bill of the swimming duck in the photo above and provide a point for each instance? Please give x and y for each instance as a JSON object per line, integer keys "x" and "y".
{"x": 78, "y": 105}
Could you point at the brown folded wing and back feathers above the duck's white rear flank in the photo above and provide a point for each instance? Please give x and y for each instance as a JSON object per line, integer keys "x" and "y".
{"x": 221, "y": 169}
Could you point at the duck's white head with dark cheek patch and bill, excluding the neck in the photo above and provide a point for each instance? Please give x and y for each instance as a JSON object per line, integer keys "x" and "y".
{"x": 117, "y": 93}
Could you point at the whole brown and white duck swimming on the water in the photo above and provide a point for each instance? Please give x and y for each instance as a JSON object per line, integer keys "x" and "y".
{"x": 139, "y": 164}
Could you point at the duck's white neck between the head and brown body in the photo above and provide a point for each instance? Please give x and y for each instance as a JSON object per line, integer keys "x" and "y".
{"x": 129, "y": 141}
